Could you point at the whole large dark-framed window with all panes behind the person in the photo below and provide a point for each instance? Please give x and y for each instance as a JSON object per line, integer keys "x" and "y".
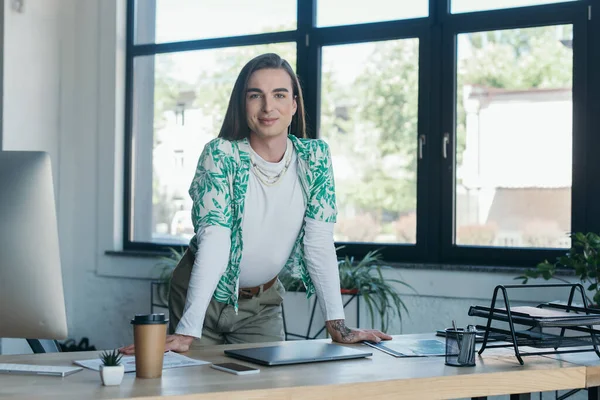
{"x": 459, "y": 131}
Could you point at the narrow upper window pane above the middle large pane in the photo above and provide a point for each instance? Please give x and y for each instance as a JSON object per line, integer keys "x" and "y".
{"x": 359, "y": 12}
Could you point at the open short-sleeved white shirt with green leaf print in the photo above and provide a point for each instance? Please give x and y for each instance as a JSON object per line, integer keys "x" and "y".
{"x": 218, "y": 192}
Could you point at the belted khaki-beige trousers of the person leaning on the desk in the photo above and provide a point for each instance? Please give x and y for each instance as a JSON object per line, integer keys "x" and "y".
{"x": 259, "y": 319}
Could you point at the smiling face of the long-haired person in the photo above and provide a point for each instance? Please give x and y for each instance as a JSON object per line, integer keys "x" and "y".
{"x": 270, "y": 102}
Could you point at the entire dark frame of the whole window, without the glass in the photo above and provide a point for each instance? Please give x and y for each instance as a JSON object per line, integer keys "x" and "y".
{"x": 435, "y": 176}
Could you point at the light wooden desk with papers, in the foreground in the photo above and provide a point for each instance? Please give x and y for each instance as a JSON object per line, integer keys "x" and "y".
{"x": 381, "y": 376}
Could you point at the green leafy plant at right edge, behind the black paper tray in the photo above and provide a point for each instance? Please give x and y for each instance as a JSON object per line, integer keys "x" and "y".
{"x": 583, "y": 258}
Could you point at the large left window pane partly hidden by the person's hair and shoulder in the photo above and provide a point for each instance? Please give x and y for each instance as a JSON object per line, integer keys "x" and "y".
{"x": 180, "y": 101}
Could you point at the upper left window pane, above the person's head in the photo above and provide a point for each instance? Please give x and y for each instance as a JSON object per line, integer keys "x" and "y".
{"x": 162, "y": 21}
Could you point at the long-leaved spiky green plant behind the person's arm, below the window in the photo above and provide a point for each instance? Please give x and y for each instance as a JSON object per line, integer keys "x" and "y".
{"x": 364, "y": 277}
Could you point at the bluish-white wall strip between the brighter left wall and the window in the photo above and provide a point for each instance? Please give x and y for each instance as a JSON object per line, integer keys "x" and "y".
{"x": 101, "y": 305}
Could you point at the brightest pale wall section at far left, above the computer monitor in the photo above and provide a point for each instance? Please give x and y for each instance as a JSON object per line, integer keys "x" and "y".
{"x": 34, "y": 56}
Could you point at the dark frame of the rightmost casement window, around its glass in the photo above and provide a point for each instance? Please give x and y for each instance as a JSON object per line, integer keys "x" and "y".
{"x": 574, "y": 13}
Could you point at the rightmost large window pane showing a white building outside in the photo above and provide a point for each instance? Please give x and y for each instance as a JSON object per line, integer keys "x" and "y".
{"x": 514, "y": 137}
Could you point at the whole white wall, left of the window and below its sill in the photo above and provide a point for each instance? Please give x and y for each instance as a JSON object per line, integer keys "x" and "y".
{"x": 64, "y": 77}
